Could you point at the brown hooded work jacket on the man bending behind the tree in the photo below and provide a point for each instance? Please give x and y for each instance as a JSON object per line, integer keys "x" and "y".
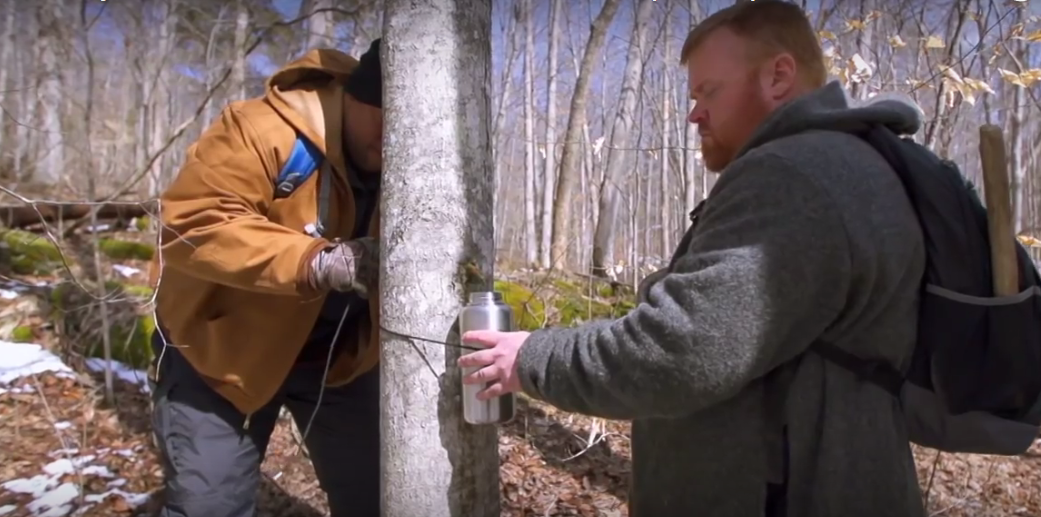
{"x": 231, "y": 278}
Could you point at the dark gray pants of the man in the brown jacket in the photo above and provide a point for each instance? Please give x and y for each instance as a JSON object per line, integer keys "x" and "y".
{"x": 213, "y": 466}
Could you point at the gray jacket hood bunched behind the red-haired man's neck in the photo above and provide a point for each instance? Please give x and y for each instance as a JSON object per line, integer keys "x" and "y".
{"x": 830, "y": 109}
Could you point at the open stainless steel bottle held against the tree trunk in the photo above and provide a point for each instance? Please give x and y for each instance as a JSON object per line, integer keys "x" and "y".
{"x": 487, "y": 312}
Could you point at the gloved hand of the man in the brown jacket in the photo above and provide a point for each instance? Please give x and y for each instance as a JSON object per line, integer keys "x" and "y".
{"x": 346, "y": 267}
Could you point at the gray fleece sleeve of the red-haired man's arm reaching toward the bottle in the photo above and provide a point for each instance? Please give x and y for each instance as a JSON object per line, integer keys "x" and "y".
{"x": 767, "y": 273}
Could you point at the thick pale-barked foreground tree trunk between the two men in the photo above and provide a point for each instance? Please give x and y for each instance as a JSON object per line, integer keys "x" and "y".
{"x": 437, "y": 219}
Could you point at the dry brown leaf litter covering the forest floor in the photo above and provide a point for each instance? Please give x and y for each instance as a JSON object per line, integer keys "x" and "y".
{"x": 553, "y": 463}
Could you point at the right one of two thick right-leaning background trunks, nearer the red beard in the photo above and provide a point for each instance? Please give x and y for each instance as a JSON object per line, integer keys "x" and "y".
{"x": 604, "y": 239}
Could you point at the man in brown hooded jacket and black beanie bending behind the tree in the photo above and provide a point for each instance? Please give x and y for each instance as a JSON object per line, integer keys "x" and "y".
{"x": 264, "y": 299}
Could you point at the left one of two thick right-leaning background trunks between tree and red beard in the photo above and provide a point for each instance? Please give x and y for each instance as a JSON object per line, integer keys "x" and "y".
{"x": 576, "y": 120}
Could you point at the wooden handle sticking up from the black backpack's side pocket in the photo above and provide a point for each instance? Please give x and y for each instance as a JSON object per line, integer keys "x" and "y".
{"x": 1005, "y": 266}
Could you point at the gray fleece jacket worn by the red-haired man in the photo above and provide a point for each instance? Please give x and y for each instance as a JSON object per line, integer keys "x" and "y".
{"x": 808, "y": 235}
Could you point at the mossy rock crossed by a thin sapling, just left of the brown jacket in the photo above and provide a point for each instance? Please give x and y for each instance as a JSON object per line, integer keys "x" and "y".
{"x": 78, "y": 319}
